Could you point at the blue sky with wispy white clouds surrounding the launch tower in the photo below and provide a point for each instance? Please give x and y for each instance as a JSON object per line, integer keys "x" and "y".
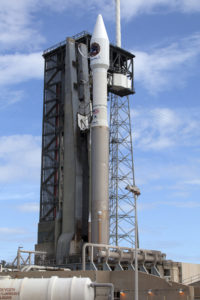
{"x": 165, "y": 37}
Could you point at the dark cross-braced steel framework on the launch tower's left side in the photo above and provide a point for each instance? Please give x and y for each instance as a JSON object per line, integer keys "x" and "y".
{"x": 52, "y": 135}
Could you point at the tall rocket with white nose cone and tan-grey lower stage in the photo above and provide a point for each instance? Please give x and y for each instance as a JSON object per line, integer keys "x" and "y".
{"x": 99, "y": 62}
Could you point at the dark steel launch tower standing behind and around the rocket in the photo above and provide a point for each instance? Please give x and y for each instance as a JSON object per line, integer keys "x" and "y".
{"x": 66, "y": 183}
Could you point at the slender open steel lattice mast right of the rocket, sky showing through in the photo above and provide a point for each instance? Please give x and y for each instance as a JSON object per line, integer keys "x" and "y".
{"x": 122, "y": 203}
